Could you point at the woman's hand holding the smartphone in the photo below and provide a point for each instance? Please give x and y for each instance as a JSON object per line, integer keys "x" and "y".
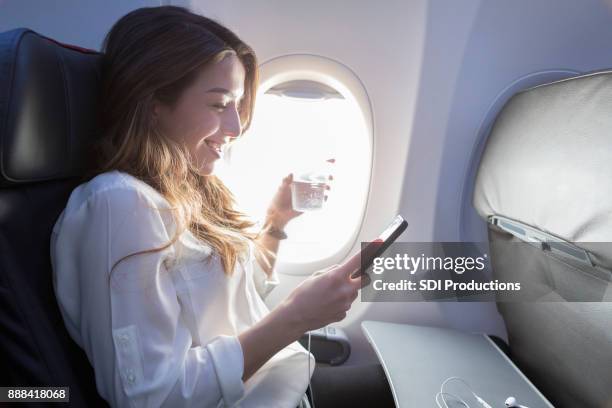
{"x": 326, "y": 296}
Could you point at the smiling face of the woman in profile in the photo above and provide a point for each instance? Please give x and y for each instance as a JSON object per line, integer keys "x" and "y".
{"x": 206, "y": 116}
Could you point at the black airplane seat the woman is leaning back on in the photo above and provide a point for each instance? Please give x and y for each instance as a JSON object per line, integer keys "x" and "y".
{"x": 48, "y": 96}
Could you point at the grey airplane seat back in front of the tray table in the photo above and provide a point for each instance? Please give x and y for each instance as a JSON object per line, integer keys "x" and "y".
{"x": 547, "y": 172}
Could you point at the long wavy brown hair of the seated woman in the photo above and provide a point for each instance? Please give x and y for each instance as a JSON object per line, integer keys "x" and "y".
{"x": 155, "y": 53}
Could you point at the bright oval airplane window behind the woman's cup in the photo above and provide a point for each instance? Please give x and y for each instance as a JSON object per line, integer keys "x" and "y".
{"x": 297, "y": 126}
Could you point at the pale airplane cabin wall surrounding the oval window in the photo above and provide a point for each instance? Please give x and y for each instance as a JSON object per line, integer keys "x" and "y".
{"x": 435, "y": 71}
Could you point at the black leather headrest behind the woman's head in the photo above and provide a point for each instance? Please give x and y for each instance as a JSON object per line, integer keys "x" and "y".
{"x": 48, "y": 97}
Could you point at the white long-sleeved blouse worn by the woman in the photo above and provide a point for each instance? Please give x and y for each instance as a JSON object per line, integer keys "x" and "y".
{"x": 162, "y": 331}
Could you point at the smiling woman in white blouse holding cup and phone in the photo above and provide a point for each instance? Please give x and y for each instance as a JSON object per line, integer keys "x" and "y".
{"x": 158, "y": 277}
